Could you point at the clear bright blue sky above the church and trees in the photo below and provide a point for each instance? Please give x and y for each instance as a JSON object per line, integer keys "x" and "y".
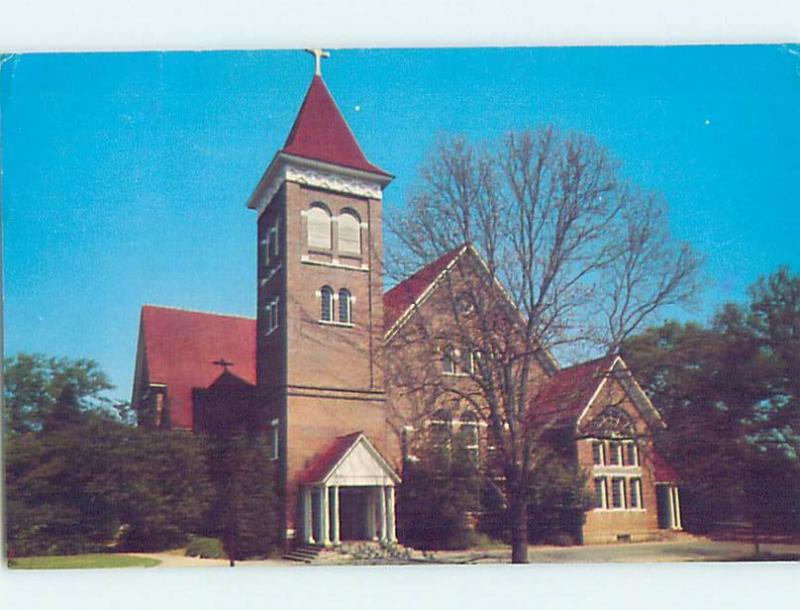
{"x": 125, "y": 176}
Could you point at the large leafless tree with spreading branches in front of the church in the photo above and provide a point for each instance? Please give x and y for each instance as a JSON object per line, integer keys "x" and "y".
{"x": 560, "y": 253}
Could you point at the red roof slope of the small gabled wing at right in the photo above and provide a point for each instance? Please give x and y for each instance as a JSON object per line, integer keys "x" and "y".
{"x": 565, "y": 395}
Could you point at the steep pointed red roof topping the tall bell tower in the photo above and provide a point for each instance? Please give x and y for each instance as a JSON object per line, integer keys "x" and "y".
{"x": 320, "y": 132}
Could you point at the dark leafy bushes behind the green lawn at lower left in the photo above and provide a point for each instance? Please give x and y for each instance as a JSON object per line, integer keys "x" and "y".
{"x": 98, "y": 482}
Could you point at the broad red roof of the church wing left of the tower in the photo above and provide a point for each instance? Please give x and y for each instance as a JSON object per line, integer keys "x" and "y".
{"x": 180, "y": 347}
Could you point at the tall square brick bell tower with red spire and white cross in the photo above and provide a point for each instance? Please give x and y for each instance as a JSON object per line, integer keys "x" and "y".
{"x": 320, "y": 288}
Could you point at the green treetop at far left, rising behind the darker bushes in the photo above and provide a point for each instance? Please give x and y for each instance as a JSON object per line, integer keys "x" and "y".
{"x": 33, "y": 384}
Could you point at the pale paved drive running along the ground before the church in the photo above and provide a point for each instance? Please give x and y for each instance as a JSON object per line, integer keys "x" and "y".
{"x": 696, "y": 549}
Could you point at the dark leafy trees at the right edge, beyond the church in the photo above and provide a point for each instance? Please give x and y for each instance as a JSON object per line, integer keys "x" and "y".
{"x": 729, "y": 394}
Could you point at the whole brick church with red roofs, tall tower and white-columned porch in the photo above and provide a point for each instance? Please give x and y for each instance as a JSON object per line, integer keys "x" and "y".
{"x": 314, "y": 359}
